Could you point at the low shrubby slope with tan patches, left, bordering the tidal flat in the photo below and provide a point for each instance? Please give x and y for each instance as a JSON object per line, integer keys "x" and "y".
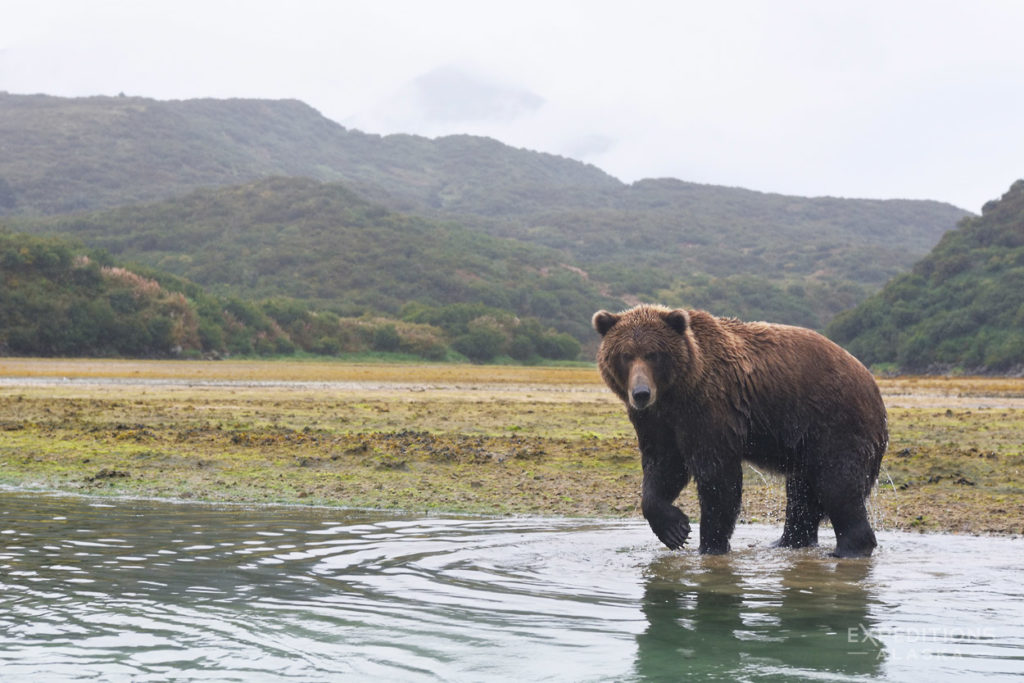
{"x": 59, "y": 298}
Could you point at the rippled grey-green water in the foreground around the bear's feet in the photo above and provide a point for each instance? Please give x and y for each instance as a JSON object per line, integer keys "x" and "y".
{"x": 147, "y": 591}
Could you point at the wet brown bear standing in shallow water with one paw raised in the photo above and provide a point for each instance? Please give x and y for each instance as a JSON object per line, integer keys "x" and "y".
{"x": 705, "y": 394}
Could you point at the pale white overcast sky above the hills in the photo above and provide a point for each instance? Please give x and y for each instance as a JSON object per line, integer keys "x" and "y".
{"x": 894, "y": 99}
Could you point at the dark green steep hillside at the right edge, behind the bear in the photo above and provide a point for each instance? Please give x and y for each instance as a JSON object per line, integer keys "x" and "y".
{"x": 962, "y": 308}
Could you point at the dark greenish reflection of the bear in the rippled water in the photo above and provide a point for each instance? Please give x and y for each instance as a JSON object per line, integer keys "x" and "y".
{"x": 736, "y": 617}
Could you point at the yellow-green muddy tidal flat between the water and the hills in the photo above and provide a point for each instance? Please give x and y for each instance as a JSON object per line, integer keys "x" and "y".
{"x": 453, "y": 439}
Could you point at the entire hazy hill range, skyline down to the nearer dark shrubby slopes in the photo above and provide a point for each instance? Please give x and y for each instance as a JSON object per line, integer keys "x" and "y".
{"x": 383, "y": 222}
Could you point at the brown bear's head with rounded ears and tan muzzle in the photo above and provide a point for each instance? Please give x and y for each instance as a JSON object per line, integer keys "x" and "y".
{"x": 646, "y": 353}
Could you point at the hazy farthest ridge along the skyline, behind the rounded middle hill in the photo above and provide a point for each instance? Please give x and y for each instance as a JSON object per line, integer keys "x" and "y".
{"x": 733, "y": 251}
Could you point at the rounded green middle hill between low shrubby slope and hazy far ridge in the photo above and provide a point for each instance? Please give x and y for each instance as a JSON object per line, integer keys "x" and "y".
{"x": 327, "y": 248}
